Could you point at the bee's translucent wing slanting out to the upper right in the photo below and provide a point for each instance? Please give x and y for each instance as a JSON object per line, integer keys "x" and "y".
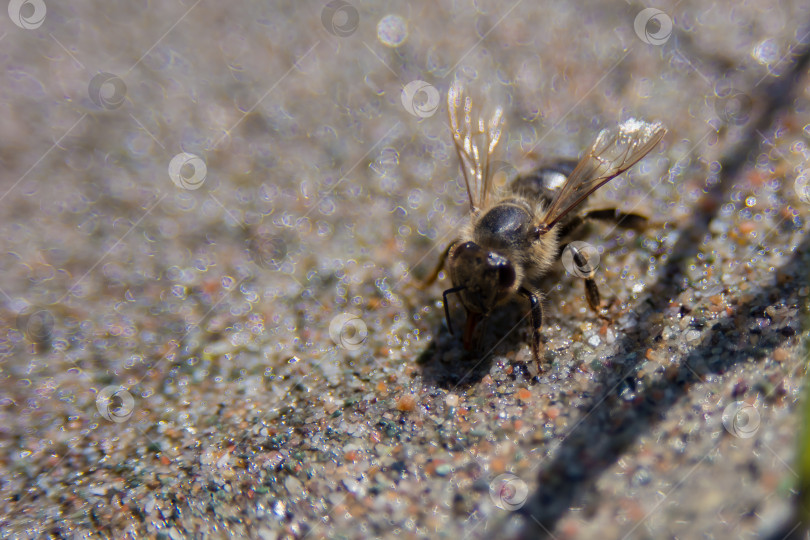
{"x": 614, "y": 151}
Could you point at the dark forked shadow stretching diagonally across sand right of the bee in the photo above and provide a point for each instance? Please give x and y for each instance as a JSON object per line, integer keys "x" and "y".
{"x": 610, "y": 426}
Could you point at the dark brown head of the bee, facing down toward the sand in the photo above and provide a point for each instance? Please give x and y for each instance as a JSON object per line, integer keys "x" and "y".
{"x": 487, "y": 277}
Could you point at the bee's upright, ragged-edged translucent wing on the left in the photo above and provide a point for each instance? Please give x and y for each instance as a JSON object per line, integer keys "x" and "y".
{"x": 475, "y": 141}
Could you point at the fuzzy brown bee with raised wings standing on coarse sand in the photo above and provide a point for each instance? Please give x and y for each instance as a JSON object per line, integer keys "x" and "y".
{"x": 515, "y": 235}
